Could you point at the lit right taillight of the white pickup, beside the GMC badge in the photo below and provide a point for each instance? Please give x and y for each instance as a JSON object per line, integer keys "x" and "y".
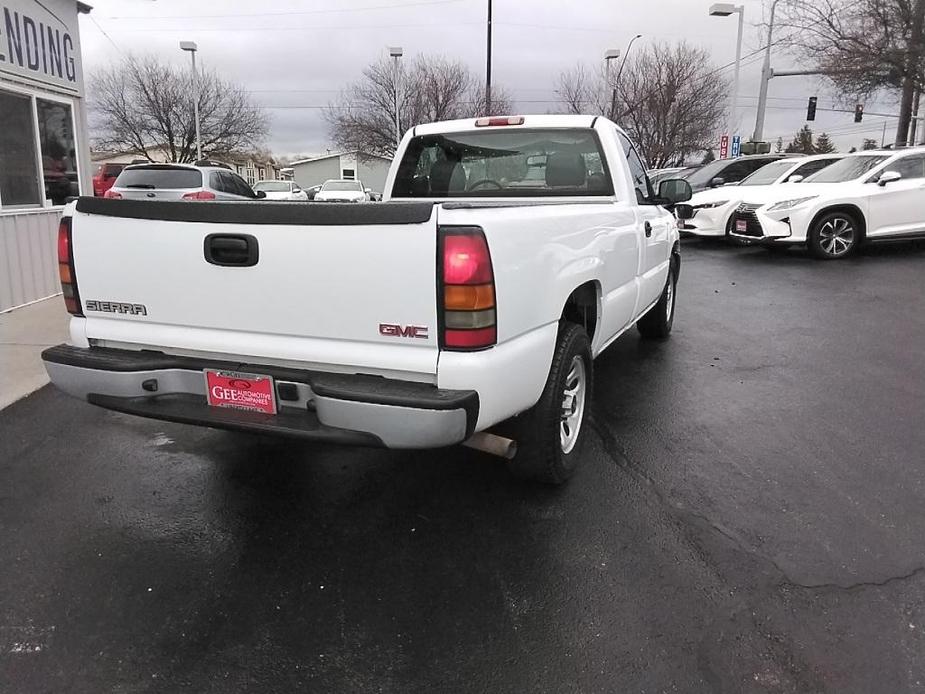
{"x": 469, "y": 319}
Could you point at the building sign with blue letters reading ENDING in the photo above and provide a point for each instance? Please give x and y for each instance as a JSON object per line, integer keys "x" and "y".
{"x": 39, "y": 41}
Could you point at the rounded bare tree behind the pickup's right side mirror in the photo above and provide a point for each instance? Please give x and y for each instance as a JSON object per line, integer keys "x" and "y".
{"x": 672, "y": 101}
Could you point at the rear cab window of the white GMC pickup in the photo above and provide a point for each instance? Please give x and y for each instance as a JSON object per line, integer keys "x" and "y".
{"x": 504, "y": 163}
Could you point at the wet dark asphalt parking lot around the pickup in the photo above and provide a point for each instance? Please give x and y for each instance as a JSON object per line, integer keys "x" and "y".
{"x": 750, "y": 517}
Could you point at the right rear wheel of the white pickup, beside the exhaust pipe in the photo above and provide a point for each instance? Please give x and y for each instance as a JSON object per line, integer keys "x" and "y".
{"x": 551, "y": 435}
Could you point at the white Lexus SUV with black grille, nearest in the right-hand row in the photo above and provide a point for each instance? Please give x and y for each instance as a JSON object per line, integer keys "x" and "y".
{"x": 869, "y": 196}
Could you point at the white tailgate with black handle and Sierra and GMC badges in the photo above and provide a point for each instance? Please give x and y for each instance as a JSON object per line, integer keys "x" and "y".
{"x": 328, "y": 286}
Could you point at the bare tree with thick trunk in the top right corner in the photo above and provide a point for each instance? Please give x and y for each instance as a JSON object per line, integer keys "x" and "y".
{"x": 864, "y": 46}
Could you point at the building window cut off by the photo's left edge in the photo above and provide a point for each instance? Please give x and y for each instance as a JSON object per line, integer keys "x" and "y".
{"x": 19, "y": 176}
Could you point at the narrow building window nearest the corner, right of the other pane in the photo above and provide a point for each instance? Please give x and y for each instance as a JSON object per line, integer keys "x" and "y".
{"x": 59, "y": 154}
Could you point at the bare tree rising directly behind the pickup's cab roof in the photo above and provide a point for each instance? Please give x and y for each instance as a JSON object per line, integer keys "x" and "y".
{"x": 429, "y": 89}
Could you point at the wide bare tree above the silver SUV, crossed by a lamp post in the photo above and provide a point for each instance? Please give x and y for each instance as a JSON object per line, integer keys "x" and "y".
{"x": 145, "y": 106}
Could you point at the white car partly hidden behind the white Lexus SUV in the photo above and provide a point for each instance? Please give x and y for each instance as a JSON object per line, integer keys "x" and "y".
{"x": 713, "y": 208}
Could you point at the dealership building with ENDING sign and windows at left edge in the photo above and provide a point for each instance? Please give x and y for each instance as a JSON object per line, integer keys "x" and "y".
{"x": 44, "y": 152}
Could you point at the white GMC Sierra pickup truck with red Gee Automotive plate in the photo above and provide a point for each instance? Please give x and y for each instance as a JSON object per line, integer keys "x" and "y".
{"x": 508, "y": 253}
